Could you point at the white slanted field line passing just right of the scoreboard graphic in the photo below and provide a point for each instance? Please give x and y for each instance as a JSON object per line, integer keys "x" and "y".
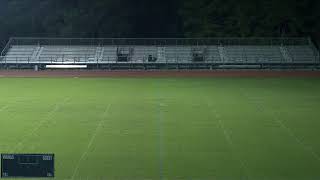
{"x": 91, "y": 140}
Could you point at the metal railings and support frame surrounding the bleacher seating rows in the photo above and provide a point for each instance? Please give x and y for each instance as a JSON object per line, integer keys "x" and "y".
{"x": 158, "y": 42}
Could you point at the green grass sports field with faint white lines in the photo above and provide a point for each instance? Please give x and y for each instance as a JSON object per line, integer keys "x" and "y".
{"x": 166, "y": 128}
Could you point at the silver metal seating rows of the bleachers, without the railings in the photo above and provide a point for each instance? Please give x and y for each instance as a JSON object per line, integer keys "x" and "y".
{"x": 159, "y": 54}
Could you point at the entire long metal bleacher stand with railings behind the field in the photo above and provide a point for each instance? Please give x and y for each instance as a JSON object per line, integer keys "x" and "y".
{"x": 193, "y": 53}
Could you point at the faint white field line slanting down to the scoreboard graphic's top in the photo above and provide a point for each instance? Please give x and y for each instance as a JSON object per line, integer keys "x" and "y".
{"x": 43, "y": 121}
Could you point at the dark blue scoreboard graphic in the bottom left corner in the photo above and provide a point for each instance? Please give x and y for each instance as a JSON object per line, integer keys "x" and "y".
{"x": 27, "y": 165}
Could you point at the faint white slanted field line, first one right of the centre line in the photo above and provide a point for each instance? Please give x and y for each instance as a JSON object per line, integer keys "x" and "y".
{"x": 229, "y": 140}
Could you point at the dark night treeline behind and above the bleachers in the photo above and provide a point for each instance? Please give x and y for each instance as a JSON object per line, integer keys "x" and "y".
{"x": 159, "y": 18}
